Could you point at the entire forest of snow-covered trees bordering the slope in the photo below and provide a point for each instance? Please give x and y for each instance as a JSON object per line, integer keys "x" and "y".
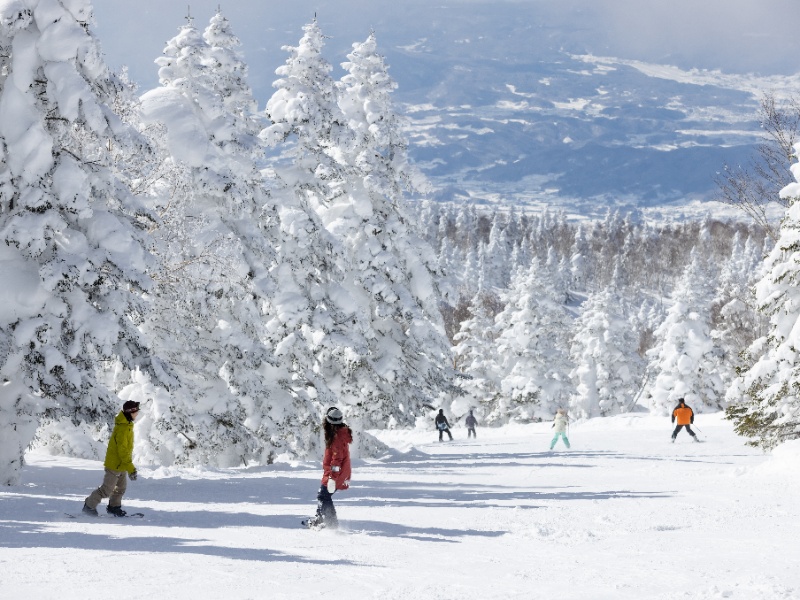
{"x": 239, "y": 269}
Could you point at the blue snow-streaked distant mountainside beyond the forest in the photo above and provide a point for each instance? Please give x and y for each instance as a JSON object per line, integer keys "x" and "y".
{"x": 559, "y": 130}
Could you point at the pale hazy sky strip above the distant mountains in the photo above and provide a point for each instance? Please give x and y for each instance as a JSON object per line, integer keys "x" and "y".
{"x": 741, "y": 36}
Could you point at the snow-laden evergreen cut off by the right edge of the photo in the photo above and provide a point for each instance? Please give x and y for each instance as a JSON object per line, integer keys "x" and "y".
{"x": 765, "y": 400}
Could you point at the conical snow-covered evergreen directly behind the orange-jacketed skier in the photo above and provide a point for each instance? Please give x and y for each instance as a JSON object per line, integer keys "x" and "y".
{"x": 684, "y": 357}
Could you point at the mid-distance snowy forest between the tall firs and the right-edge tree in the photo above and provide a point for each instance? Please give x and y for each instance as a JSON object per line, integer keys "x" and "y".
{"x": 546, "y": 312}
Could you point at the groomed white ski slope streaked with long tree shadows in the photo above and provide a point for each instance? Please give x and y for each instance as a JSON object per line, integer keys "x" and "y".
{"x": 623, "y": 514}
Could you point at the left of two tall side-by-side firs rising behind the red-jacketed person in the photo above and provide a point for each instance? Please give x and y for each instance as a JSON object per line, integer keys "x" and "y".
{"x": 323, "y": 317}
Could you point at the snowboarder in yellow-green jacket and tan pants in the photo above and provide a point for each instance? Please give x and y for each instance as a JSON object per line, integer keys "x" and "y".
{"x": 118, "y": 464}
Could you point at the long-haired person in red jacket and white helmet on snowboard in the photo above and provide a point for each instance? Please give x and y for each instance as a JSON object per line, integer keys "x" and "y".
{"x": 335, "y": 469}
